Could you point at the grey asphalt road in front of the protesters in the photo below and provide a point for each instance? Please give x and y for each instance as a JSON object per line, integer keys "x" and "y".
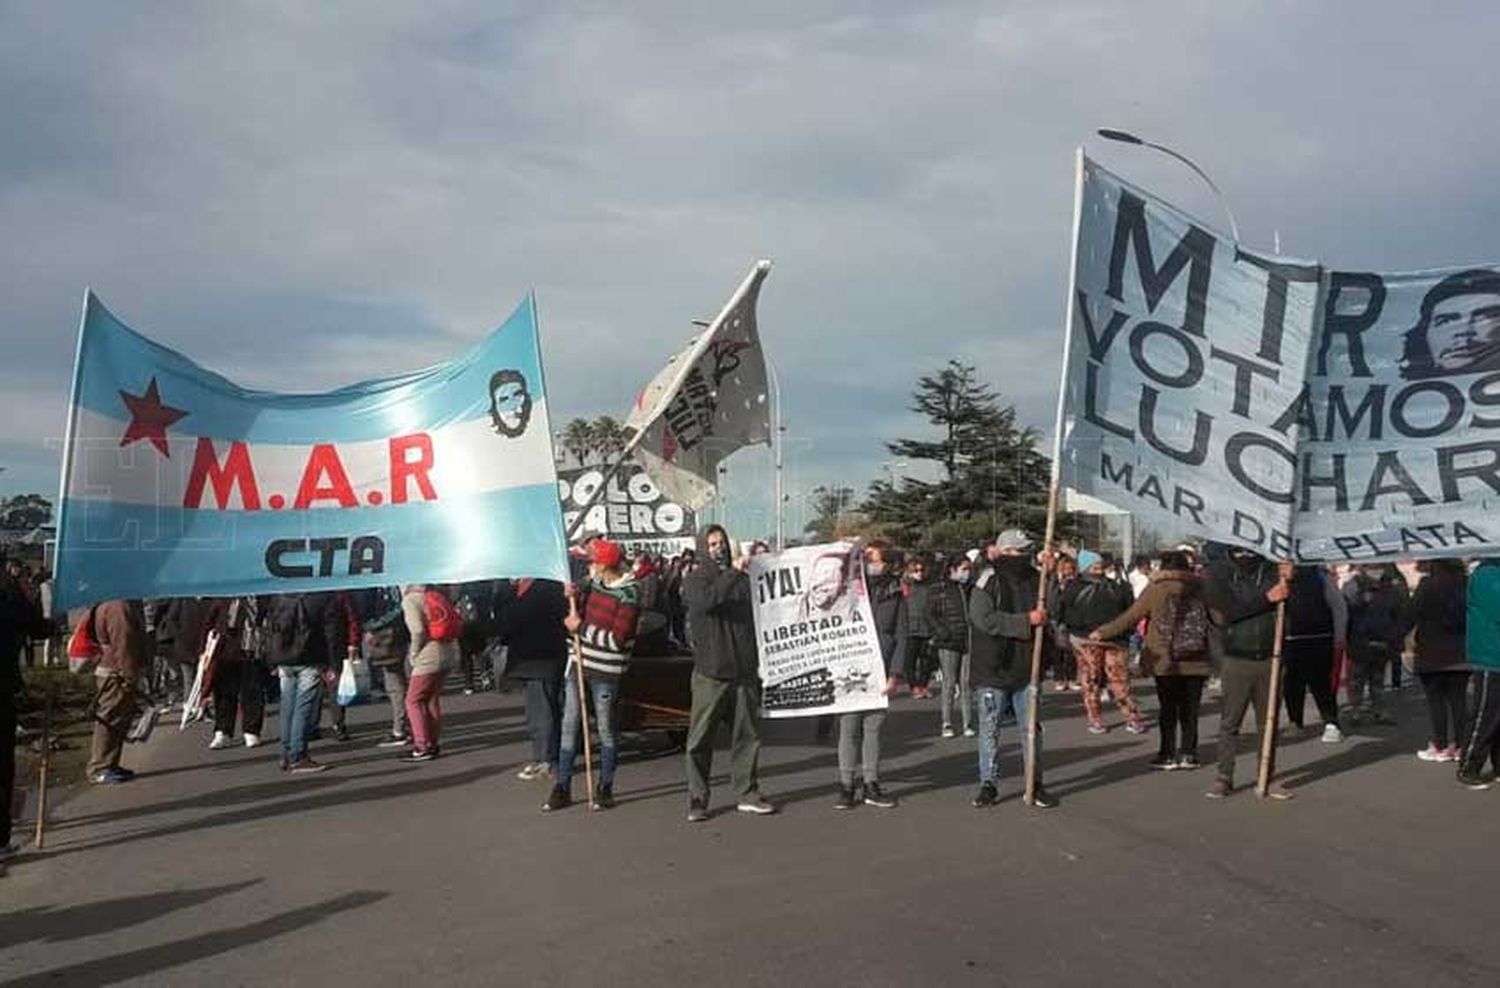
{"x": 214, "y": 869}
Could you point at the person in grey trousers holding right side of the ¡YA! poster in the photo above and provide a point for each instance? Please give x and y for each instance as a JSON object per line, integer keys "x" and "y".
{"x": 860, "y": 732}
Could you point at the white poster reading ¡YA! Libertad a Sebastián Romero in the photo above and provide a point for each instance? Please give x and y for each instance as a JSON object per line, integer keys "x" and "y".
{"x": 815, "y": 630}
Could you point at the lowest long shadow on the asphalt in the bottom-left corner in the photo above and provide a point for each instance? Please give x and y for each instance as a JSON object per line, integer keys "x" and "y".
{"x": 110, "y": 971}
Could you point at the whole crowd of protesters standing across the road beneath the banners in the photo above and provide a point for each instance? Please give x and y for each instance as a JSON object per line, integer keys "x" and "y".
{"x": 959, "y": 627}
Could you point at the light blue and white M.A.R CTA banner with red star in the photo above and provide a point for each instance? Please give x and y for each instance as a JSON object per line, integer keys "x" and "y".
{"x": 179, "y": 482}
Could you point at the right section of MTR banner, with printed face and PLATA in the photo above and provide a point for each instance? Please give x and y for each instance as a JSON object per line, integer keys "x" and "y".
{"x": 1400, "y": 421}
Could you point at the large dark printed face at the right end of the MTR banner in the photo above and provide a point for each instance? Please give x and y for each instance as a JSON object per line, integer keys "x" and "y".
{"x": 1459, "y": 329}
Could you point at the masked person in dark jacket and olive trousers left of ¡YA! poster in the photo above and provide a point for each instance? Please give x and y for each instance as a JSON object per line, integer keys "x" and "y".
{"x": 727, "y": 677}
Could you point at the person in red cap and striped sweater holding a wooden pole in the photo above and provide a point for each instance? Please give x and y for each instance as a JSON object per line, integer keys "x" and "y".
{"x": 608, "y": 612}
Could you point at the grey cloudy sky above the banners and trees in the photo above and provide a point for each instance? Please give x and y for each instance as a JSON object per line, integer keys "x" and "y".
{"x": 308, "y": 194}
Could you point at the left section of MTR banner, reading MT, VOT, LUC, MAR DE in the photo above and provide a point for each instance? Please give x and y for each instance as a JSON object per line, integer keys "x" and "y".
{"x": 1184, "y": 355}
